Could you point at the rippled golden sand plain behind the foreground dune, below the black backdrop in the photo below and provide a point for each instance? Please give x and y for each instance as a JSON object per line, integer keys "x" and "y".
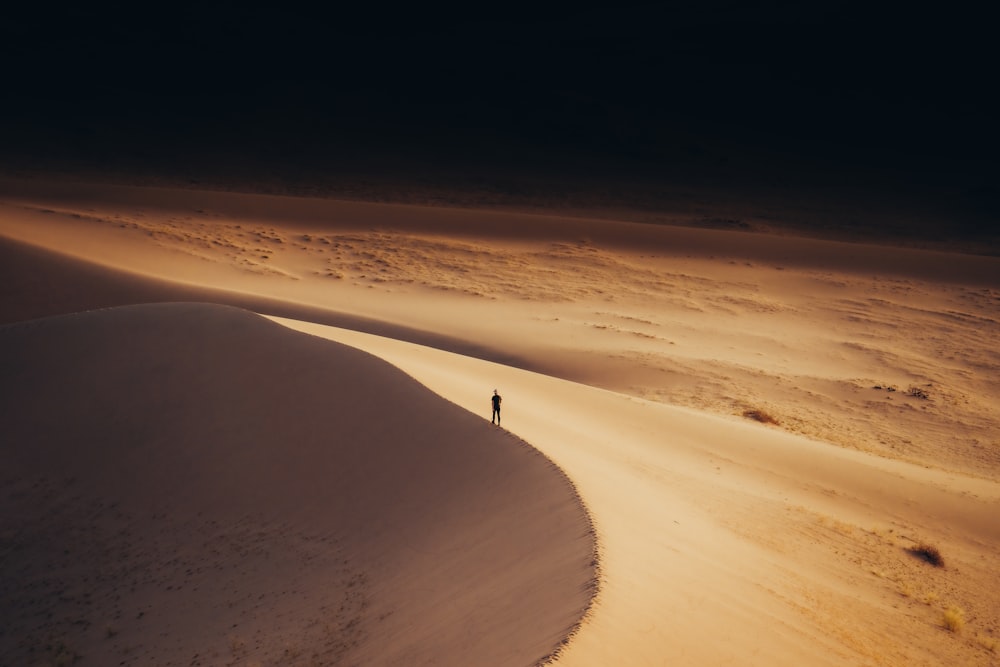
{"x": 720, "y": 321}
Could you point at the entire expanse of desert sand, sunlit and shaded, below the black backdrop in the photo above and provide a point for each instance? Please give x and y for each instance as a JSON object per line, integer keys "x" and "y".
{"x": 755, "y": 432}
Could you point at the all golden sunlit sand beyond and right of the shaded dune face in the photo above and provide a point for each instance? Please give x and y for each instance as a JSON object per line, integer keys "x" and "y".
{"x": 632, "y": 356}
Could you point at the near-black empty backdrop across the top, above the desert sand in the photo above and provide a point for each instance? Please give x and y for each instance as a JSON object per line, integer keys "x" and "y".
{"x": 669, "y": 88}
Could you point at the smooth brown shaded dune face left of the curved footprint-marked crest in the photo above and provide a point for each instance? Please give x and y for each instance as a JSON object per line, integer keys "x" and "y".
{"x": 193, "y": 484}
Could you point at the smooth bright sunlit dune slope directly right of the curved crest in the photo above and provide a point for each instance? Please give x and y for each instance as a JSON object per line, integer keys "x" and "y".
{"x": 713, "y": 532}
